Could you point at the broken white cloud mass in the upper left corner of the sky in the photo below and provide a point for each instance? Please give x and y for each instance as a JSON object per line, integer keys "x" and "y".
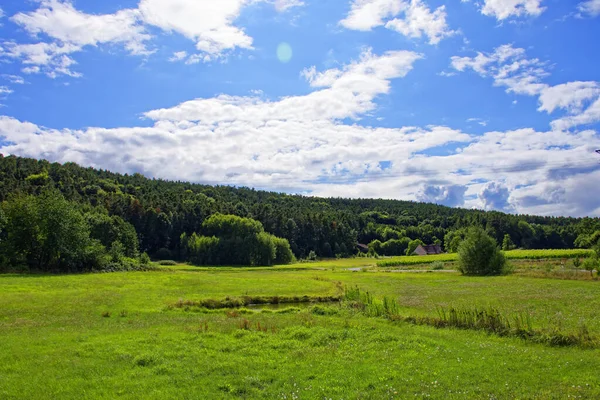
{"x": 63, "y": 30}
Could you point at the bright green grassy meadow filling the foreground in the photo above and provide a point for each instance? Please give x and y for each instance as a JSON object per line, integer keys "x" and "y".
{"x": 118, "y": 336}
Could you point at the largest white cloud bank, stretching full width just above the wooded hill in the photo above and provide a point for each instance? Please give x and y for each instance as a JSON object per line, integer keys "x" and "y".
{"x": 300, "y": 144}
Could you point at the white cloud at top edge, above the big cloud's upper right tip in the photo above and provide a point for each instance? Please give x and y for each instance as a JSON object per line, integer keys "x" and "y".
{"x": 418, "y": 20}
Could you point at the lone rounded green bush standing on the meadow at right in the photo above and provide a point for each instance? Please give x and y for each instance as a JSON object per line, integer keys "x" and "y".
{"x": 478, "y": 254}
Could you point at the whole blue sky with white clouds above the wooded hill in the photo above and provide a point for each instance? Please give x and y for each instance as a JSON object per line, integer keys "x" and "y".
{"x": 488, "y": 104}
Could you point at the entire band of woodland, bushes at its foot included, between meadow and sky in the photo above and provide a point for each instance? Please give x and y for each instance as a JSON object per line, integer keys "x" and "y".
{"x": 169, "y": 219}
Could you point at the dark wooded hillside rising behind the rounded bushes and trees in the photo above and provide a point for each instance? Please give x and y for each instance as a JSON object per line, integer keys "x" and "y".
{"x": 161, "y": 211}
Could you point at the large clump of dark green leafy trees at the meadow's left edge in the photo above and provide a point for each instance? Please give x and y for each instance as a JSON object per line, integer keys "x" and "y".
{"x": 47, "y": 233}
